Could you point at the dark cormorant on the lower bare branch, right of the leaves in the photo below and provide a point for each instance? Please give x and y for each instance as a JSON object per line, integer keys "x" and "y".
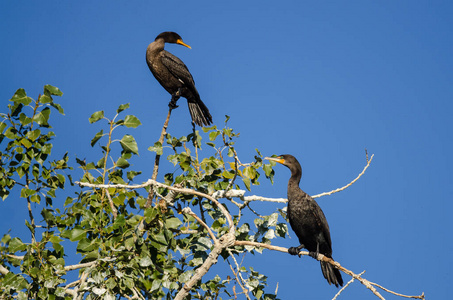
{"x": 308, "y": 221}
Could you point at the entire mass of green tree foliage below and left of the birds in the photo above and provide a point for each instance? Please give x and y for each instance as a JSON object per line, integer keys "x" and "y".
{"x": 127, "y": 247}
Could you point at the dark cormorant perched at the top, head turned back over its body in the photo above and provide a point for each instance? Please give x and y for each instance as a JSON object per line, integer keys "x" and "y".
{"x": 174, "y": 76}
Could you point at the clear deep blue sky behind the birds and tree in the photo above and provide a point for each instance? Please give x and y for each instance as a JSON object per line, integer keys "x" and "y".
{"x": 319, "y": 80}
